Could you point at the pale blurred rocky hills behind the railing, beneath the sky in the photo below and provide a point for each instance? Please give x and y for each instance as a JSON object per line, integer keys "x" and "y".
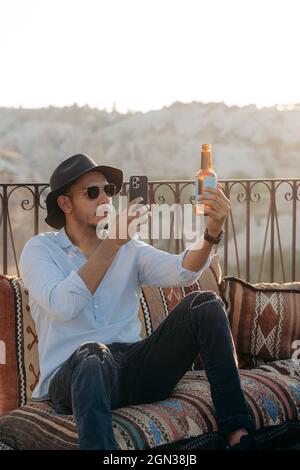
{"x": 164, "y": 144}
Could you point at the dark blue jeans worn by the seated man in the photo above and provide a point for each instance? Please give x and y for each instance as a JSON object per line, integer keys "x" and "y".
{"x": 98, "y": 378}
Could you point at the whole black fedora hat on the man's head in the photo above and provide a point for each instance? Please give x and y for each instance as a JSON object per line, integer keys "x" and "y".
{"x": 68, "y": 172}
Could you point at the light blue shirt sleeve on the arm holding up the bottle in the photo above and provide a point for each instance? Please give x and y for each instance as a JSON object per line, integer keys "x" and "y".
{"x": 161, "y": 269}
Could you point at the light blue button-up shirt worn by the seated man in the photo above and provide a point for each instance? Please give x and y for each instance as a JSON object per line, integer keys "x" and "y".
{"x": 67, "y": 314}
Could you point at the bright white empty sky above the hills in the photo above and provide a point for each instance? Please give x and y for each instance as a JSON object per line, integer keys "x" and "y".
{"x": 139, "y": 55}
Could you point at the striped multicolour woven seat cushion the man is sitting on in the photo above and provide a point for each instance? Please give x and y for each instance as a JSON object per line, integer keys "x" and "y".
{"x": 272, "y": 393}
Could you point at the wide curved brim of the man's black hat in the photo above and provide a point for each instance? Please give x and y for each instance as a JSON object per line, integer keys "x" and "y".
{"x": 55, "y": 216}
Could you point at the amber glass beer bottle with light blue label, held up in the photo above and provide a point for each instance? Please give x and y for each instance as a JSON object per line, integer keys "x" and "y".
{"x": 206, "y": 177}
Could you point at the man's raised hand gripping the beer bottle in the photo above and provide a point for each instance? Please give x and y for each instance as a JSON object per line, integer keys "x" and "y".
{"x": 217, "y": 208}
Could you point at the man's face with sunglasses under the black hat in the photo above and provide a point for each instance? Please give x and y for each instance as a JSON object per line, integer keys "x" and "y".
{"x": 82, "y": 208}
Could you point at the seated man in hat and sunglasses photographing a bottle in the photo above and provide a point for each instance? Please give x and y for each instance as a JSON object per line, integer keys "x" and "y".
{"x": 84, "y": 296}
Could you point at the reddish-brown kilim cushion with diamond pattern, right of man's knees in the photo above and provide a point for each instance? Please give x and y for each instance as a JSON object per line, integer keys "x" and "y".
{"x": 264, "y": 318}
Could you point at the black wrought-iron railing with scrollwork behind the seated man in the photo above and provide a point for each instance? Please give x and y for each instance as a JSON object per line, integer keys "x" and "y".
{"x": 261, "y": 234}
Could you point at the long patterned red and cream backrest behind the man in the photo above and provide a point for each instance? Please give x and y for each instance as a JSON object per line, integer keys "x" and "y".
{"x": 18, "y": 339}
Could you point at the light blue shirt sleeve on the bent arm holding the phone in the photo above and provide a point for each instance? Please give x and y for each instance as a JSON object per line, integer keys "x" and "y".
{"x": 62, "y": 297}
